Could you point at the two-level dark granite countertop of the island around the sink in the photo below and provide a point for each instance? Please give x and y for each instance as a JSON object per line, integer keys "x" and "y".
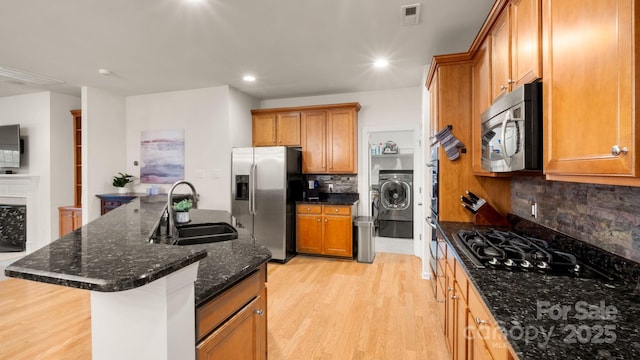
{"x": 113, "y": 253}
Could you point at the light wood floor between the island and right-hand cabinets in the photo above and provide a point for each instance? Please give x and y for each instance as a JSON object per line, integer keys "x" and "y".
{"x": 332, "y": 309}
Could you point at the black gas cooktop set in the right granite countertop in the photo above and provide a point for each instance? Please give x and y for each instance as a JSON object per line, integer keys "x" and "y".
{"x": 510, "y": 251}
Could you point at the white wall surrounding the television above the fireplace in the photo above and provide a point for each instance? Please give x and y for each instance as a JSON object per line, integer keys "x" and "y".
{"x": 46, "y": 126}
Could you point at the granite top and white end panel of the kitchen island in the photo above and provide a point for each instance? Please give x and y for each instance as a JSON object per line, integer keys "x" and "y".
{"x": 114, "y": 259}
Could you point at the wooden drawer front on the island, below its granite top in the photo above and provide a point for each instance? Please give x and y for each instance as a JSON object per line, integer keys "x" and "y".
{"x": 215, "y": 312}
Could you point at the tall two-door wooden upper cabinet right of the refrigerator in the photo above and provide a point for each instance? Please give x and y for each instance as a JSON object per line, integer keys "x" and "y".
{"x": 329, "y": 137}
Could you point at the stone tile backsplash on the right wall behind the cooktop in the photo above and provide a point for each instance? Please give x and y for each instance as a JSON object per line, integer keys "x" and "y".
{"x": 602, "y": 215}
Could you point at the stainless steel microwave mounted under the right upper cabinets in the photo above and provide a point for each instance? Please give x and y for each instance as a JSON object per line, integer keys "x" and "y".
{"x": 512, "y": 131}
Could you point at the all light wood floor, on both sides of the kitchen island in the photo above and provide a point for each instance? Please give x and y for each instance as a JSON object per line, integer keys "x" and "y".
{"x": 317, "y": 309}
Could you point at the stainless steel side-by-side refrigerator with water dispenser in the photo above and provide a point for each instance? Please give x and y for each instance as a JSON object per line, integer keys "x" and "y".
{"x": 266, "y": 182}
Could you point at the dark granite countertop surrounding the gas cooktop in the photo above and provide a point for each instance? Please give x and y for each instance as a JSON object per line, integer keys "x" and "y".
{"x": 557, "y": 317}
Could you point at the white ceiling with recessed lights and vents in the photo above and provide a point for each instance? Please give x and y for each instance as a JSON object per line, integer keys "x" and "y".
{"x": 293, "y": 47}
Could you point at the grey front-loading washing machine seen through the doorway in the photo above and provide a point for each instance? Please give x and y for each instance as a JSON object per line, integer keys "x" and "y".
{"x": 395, "y": 214}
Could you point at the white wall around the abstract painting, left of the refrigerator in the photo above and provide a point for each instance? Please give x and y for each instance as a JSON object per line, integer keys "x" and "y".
{"x": 214, "y": 120}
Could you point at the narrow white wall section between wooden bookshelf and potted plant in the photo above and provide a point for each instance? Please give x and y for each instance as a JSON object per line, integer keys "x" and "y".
{"x": 103, "y": 148}
